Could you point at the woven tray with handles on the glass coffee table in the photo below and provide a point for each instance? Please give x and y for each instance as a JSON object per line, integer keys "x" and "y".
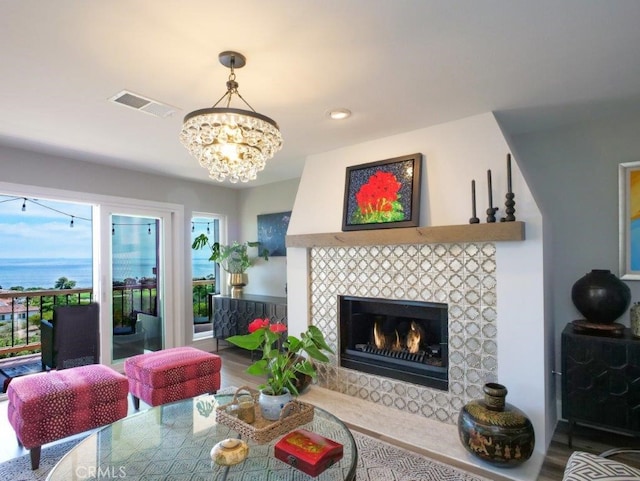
{"x": 294, "y": 414}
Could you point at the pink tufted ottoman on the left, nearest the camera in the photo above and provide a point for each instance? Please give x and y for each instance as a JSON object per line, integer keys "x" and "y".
{"x": 52, "y": 405}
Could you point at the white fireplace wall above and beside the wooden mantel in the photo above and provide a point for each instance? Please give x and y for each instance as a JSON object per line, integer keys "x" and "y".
{"x": 455, "y": 153}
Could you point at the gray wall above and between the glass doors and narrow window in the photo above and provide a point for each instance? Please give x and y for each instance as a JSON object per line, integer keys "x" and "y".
{"x": 56, "y": 172}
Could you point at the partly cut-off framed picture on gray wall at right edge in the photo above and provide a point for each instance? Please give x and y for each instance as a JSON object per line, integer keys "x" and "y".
{"x": 629, "y": 220}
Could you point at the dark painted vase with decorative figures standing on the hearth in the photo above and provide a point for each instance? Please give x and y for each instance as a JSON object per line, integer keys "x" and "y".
{"x": 495, "y": 431}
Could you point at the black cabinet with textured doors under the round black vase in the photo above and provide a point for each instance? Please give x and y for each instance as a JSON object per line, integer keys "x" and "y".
{"x": 601, "y": 381}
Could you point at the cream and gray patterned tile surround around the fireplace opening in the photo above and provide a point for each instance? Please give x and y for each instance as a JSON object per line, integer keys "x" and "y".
{"x": 462, "y": 275}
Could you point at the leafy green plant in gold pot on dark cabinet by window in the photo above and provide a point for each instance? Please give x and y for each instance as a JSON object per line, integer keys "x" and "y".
{"x": 233, "y": 258}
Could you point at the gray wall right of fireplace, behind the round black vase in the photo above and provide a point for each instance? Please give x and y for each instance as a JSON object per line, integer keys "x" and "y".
{"x": 573, "y": 174}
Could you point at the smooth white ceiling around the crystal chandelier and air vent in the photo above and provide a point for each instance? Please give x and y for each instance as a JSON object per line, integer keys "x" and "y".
{"x": 398, "y": 65}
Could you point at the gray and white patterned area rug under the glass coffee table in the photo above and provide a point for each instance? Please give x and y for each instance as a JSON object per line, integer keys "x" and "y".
{"x": 377, "y": 461}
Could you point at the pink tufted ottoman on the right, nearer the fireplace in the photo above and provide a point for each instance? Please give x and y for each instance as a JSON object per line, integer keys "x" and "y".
{"x": 172, "y": 374}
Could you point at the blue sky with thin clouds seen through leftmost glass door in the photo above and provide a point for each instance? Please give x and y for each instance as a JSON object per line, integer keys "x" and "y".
{"x": 43, "y": 229}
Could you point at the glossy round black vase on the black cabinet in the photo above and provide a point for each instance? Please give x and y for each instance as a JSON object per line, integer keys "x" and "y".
{"x": 600, "y": 296}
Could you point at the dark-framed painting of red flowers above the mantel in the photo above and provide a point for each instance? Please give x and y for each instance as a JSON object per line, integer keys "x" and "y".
{"x": 383, "y": 194}
